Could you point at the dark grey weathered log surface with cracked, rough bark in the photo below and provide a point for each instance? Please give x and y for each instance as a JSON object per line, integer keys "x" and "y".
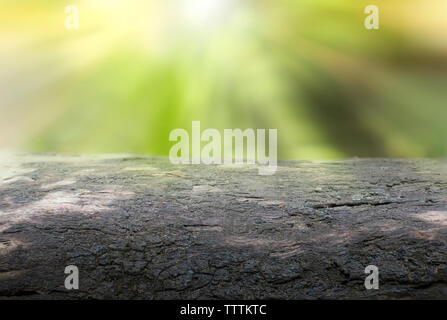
{"x": 139, "y": 227}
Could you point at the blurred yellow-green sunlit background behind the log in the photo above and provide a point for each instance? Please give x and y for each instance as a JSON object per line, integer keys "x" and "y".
{"x": 137, "y": 69}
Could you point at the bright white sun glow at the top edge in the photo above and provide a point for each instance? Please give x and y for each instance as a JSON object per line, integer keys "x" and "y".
{"x": 205, "y": 12}
